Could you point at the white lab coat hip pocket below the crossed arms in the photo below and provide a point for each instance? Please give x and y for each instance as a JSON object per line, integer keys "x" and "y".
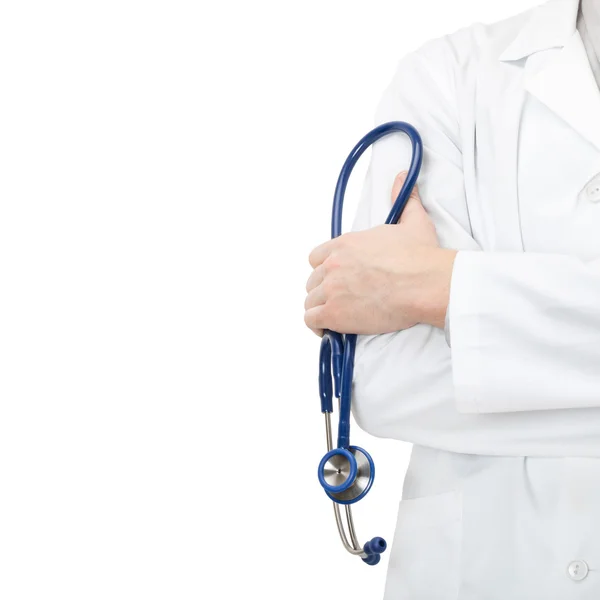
{"x": 425, "y": 556}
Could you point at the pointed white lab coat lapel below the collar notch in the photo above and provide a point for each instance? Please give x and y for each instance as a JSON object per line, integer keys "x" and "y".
{"x": 566, "y": 85}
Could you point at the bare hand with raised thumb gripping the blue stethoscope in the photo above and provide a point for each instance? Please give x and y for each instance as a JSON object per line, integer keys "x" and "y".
{"x": 383, "y": 279}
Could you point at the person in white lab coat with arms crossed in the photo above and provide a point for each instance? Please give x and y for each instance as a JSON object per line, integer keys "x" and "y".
{"x": 480, "y": 310}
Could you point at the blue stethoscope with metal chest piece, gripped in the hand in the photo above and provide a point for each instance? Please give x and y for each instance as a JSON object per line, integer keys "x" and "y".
{"x": 347, "y": 472}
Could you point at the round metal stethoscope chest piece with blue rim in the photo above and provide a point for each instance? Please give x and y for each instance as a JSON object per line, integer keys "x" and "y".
{"x": 346, "y": 474}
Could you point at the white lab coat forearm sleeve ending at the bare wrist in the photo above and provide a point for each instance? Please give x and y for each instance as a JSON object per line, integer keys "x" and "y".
{"x": 525, "y": 331}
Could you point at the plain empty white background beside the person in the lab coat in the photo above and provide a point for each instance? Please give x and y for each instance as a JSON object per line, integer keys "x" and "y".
{"x": 165, "y": 169}
